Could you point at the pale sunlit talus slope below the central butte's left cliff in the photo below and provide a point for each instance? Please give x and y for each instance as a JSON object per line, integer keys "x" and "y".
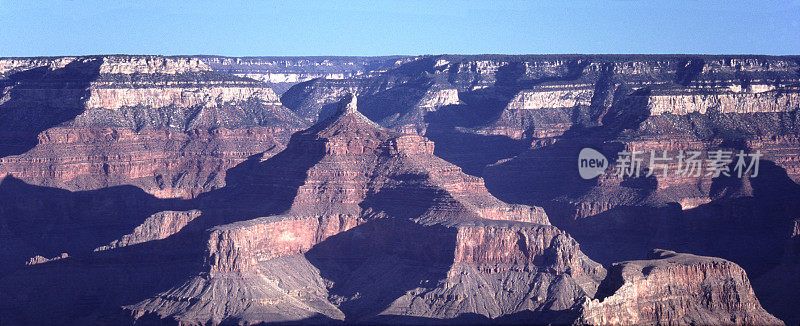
{"x": 289, "y": 289}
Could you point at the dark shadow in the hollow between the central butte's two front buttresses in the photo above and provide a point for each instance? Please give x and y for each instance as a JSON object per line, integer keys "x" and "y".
{"x": 375, "y": 263}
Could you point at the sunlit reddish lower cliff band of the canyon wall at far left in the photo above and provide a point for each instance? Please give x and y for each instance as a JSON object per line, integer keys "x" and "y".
{"x": 167, "y": 163}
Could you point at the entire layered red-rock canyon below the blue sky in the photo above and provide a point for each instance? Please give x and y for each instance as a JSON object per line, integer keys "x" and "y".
{"x": 433, "y": 189}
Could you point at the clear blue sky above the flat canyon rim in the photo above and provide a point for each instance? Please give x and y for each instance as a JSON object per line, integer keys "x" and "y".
{"x": 398, "y": 27}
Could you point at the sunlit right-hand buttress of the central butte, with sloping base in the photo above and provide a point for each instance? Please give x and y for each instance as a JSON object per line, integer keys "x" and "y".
{"x": 502, "y": 268}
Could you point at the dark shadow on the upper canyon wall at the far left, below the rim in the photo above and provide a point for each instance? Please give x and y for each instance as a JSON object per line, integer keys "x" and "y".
{"x": 24, "y": 115}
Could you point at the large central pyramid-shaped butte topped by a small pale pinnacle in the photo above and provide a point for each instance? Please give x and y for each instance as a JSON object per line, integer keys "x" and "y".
{"x": 372, "y": 188}
